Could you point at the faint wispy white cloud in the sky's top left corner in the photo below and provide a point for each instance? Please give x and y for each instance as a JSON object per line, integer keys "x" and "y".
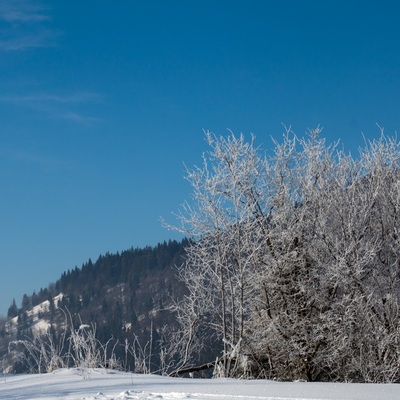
{"x": 25, "y": 25}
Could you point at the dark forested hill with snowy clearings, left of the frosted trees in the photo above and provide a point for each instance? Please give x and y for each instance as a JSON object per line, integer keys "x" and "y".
{"x": 124, "y": 295}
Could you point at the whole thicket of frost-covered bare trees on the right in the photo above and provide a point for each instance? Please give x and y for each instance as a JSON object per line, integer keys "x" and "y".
{"x": 294, "y": 261}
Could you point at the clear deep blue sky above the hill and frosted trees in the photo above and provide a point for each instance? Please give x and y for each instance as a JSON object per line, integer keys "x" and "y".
{"x": 101, "y": 103}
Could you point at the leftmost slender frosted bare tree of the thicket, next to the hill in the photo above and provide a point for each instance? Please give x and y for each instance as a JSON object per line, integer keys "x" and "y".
{"x": 227, "y": 200}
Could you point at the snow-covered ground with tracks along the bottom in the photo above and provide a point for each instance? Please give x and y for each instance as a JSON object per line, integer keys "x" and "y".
{"x": 97, "y": 385}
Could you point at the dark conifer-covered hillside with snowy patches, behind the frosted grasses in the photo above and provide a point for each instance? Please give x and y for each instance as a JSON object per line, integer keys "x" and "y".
{"x": 122, "y": 298}
